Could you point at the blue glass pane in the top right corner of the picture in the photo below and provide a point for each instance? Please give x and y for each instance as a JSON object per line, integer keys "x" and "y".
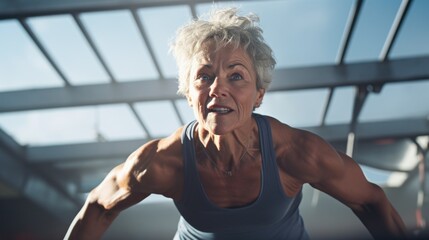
{"x": 413, "y": 37}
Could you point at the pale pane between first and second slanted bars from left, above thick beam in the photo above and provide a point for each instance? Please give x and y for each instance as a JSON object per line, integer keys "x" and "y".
{"x": 65, "y": 43}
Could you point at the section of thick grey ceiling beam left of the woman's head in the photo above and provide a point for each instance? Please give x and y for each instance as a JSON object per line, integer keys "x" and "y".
{"x": 127, "y": 92}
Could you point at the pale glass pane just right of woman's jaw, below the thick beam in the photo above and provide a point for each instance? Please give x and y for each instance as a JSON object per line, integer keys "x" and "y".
{"x": 300, "y": 108}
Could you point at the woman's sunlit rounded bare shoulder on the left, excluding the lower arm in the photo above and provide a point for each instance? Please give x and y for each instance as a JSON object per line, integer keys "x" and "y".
{"x": 156, "y": 165}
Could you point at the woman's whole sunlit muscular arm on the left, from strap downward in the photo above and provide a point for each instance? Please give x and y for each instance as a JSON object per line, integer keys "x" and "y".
{"x": 153, "y": 168}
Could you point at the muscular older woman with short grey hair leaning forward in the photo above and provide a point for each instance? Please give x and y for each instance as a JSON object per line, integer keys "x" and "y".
{"x": 233, "y": 174}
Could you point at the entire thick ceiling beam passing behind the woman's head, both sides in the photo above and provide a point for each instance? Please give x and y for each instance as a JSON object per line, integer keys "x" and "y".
{"x": 360, "y": 74}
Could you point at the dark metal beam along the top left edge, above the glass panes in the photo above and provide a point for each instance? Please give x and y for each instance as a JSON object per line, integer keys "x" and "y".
{"x": 13, "y": 9}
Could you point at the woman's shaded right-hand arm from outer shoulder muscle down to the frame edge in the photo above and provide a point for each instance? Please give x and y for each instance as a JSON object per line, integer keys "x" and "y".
{"x": 341, "y": 177}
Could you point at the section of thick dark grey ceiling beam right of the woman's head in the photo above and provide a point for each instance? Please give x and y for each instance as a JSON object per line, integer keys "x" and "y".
{"x": 352, "y": 74}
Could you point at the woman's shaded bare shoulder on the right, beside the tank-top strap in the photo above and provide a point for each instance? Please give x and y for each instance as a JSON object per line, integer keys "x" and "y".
{"x": 303, "y": 154}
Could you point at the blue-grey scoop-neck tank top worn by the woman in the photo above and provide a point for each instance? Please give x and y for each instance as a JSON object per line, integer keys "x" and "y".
{"x": 272, "y": 215}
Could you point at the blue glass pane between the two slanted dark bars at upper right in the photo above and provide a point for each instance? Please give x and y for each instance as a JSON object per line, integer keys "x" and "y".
{"x": 371, "y": 30}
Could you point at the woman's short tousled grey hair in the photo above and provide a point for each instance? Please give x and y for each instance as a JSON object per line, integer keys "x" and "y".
{"x": 224, "y": 27}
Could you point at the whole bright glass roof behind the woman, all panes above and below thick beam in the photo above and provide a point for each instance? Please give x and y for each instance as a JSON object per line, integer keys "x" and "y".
{"x": 132, "y": 45}
